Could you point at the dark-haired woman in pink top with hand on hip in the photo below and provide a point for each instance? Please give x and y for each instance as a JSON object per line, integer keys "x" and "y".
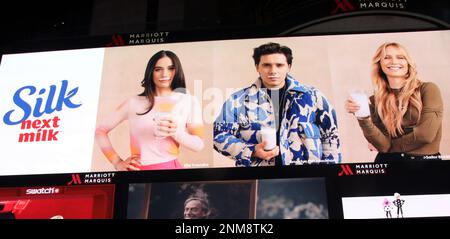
{"x": 161, "y": 119}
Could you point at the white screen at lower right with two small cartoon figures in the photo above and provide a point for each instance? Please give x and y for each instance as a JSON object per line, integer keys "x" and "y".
{"x": 432, "y": 205}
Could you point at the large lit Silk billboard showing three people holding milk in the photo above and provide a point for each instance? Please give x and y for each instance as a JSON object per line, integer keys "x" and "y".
{"x": 84, "y": 110}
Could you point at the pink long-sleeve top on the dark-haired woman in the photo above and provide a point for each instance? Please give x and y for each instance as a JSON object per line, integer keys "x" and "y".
{"x": 183, "y": 108}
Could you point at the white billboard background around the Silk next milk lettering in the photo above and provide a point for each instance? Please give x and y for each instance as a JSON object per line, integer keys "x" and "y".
{"x": 72, "y": 152}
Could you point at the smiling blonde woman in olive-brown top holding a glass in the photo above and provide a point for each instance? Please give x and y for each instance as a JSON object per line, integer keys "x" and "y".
{"x": 405, "y": 117}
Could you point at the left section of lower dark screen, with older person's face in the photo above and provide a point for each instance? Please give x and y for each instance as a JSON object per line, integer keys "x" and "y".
{"x": 192, "y": 200}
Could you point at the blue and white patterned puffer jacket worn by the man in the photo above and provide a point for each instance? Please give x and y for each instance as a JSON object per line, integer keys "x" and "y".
{"x": 308, "y": 129}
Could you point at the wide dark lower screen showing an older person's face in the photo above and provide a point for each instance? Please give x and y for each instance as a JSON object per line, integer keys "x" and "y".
{"x": 294, "y": 198}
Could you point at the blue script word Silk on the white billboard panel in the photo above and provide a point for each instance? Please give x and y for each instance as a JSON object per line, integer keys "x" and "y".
{"x": 63, "y": 99}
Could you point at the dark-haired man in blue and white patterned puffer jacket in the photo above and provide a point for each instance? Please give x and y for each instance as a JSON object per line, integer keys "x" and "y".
{"x": 277, "y": 120}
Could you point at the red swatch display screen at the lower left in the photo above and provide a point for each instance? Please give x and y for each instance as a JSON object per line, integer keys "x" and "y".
{"x": 57, "y": 202}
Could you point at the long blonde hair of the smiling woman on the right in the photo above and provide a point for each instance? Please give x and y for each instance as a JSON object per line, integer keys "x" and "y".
{"x": 390, "y": 108}
